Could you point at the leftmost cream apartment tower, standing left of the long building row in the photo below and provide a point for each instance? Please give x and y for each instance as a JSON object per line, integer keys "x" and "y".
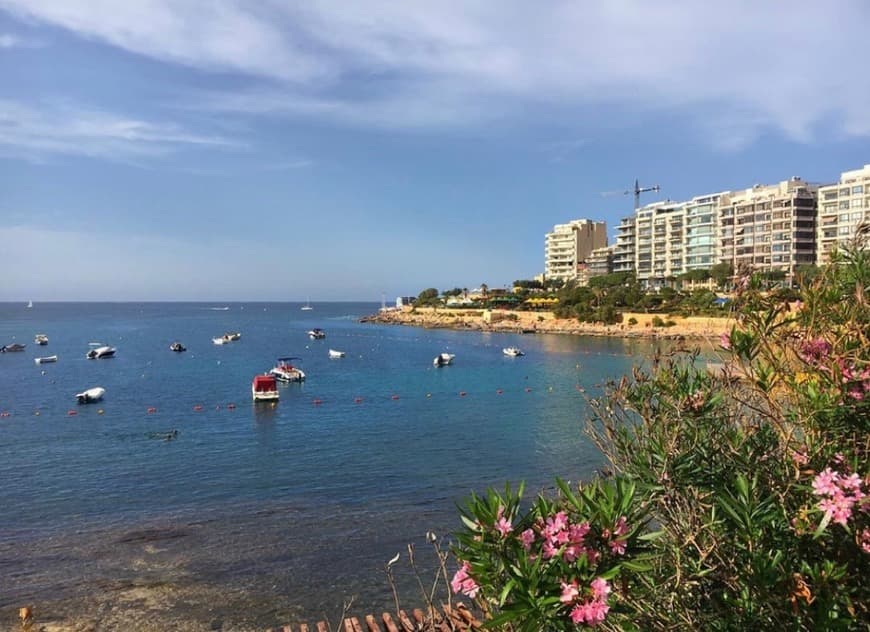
{"x": 569, "y": 245}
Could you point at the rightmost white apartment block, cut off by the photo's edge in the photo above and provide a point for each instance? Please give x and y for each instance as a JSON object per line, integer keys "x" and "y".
{"x": 842, "y": 207}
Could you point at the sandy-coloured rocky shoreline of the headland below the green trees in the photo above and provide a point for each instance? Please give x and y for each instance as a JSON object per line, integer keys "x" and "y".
{"x": 633, "y": 325}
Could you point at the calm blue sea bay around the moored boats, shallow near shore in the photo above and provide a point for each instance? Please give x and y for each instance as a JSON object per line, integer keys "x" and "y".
{"x": 178, "y": 496}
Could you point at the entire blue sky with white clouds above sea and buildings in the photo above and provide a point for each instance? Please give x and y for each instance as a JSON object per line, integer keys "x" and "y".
{"x": 283, "y": 150}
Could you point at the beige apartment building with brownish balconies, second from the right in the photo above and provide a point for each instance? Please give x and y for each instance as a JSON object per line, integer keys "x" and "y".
{"x": 769, "y": 228}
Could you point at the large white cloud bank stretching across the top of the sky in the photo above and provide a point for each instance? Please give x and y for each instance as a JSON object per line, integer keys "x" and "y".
{"x": 739, "y": 67}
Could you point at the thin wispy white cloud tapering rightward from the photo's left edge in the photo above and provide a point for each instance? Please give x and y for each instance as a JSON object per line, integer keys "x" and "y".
{"x": 39, "y": 132}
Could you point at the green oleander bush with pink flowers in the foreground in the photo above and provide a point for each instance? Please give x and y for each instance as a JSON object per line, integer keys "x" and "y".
{"x": 737, "y": 499}
